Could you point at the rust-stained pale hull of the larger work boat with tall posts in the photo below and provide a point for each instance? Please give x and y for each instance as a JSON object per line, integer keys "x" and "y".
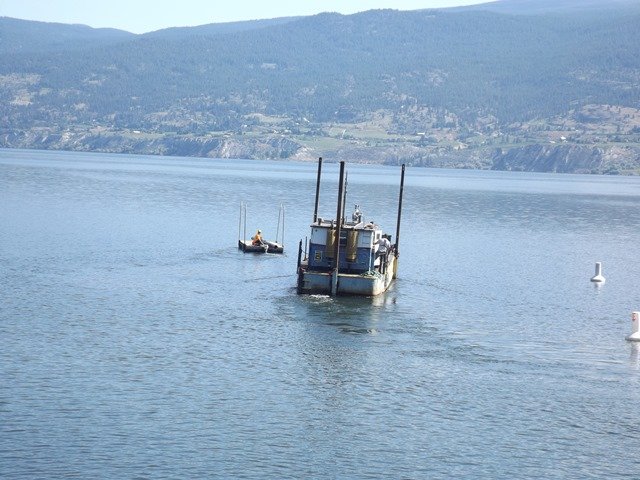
{"x": 365, "y": 284}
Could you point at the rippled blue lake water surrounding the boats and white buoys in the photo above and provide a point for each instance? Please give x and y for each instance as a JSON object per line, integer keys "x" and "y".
{"x": 136, "y": 341}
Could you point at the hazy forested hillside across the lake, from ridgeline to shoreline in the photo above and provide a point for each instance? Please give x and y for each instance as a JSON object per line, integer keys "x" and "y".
{"x": 490, "y": 86}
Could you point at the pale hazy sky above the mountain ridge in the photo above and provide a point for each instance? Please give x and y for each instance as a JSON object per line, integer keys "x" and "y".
{"x": 141, "y": 16}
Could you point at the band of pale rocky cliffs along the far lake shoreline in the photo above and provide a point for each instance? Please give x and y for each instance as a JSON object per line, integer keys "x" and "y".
{"x": 561, "y": 158}
